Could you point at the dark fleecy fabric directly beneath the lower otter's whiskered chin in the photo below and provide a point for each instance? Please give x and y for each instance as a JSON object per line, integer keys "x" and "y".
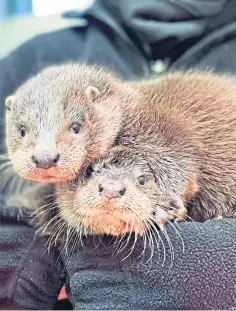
{"x": 203, "y": 276}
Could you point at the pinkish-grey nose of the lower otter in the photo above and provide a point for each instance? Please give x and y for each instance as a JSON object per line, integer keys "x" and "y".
{"x": 111, "y": 190}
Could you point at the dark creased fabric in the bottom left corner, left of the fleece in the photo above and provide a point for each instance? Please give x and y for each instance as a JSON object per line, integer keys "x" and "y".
{"x": 30, "y": 276}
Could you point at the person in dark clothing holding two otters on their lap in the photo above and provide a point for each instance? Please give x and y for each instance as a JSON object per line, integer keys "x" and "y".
{"x": 129, "y": 37}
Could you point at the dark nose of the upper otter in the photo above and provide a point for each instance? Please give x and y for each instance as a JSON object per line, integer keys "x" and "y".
{"x": 45, "y": 160}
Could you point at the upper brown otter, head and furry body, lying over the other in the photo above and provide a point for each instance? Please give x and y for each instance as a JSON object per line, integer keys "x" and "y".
{"x": 183, "y": 124}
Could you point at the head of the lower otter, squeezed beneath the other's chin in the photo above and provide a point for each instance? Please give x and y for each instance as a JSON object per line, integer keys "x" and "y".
{"x": 119, "y": 196}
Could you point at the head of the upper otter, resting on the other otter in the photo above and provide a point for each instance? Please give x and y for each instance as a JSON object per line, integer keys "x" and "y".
{"x": 61, "y": 120}
